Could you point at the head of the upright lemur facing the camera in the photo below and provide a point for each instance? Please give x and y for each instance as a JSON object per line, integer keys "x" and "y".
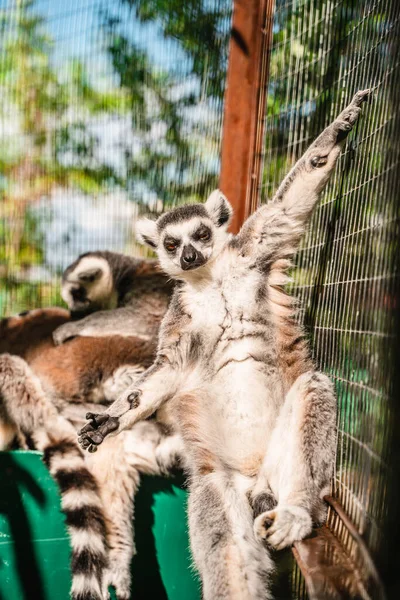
{"x": 188, "y": 238}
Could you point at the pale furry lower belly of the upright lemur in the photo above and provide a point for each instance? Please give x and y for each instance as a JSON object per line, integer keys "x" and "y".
{"x": 242, "y": 409}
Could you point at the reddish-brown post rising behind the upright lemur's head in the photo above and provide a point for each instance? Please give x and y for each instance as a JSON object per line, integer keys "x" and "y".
{"x": 244, "y": 112}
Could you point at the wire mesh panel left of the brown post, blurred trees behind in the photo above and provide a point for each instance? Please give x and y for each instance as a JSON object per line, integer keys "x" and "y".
{"x": 104, "y": 113}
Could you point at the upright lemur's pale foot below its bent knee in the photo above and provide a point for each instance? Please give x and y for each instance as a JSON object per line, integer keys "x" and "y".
{"x": 282, "y": 526}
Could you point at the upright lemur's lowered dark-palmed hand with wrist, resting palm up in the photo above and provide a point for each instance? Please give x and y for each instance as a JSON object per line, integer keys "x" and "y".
{"x": 103, "y": 424}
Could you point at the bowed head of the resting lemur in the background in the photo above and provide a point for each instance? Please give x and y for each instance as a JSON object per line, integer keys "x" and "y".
{"x": 87, "y": 285}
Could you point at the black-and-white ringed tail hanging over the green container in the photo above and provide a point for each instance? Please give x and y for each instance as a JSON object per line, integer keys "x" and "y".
{"x": 23, "y": 400}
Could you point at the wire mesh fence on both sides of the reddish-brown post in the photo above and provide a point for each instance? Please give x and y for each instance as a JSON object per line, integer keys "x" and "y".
{"x": 109, "y": 108}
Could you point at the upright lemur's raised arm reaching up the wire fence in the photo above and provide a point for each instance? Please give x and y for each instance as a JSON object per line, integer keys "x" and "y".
{"x": 275, "y": 229}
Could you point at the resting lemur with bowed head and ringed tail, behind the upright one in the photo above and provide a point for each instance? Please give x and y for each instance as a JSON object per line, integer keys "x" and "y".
{"x": 45, "y": 396}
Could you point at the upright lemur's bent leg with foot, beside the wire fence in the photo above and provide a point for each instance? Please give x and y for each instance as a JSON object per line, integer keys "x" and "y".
{"x": 299, "y": 461}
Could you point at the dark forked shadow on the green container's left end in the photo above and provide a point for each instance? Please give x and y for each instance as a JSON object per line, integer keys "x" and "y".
{"x": 14, "y": 479}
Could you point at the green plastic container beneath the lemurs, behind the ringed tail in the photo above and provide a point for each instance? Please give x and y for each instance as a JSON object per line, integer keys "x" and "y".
{"x": 34, "y": 544}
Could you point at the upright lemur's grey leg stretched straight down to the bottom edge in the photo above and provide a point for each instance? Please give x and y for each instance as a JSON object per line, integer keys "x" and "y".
{"x": 232, "y": 563}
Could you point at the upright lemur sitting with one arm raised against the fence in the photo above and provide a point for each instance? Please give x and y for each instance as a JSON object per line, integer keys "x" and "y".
{"x": 258, "y": 421}
